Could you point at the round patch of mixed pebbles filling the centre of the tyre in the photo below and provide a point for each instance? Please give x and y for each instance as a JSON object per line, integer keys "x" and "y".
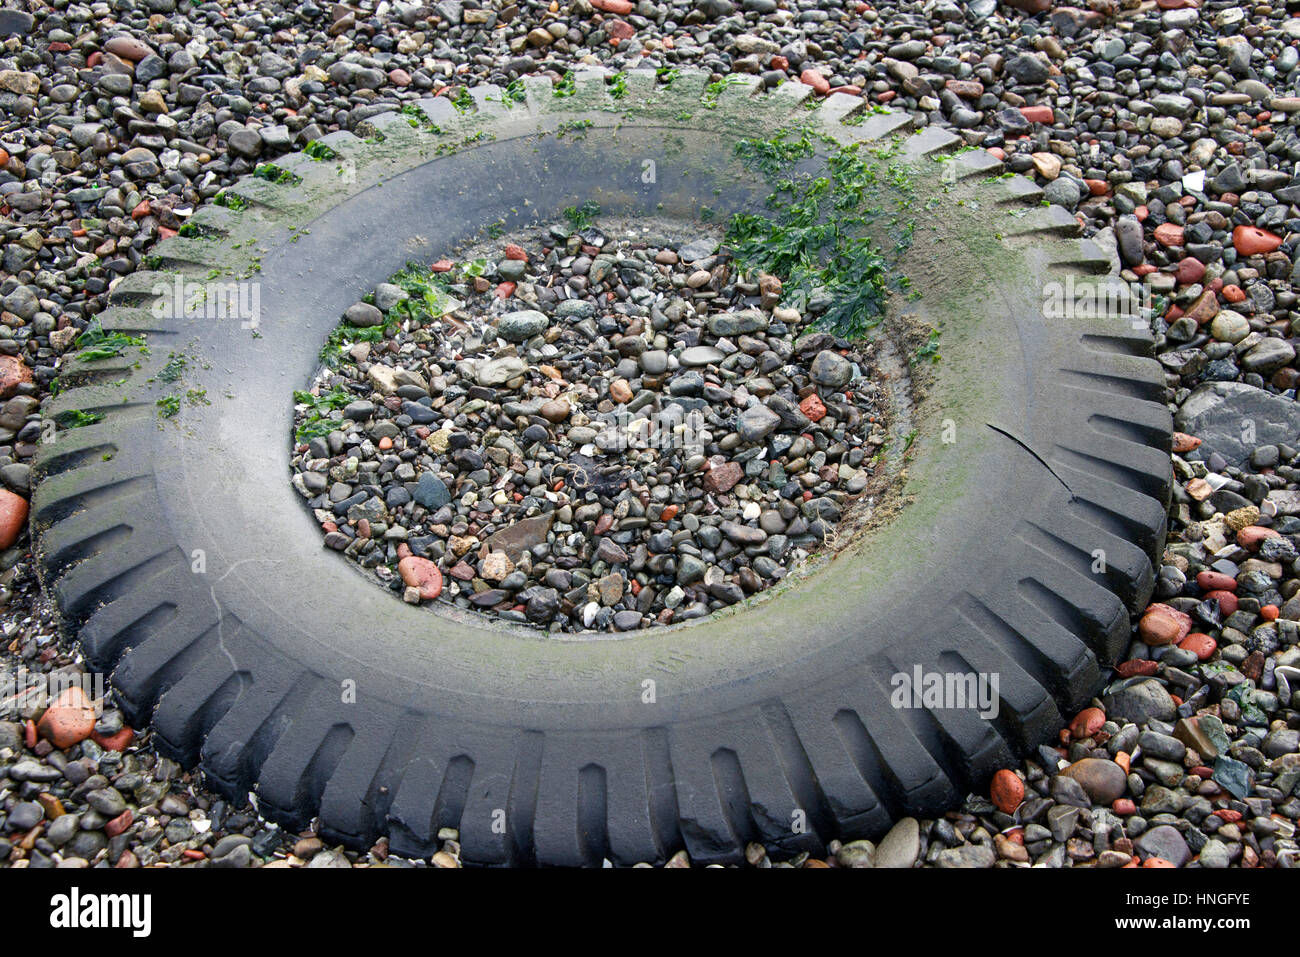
{"x": 639, "y": 439}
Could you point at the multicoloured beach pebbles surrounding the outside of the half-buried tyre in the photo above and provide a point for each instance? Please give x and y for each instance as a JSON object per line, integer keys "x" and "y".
{"x": 1169, "y": 133}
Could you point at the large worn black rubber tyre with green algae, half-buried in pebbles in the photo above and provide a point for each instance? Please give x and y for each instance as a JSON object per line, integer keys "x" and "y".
{"x": 183, "y": 560}
